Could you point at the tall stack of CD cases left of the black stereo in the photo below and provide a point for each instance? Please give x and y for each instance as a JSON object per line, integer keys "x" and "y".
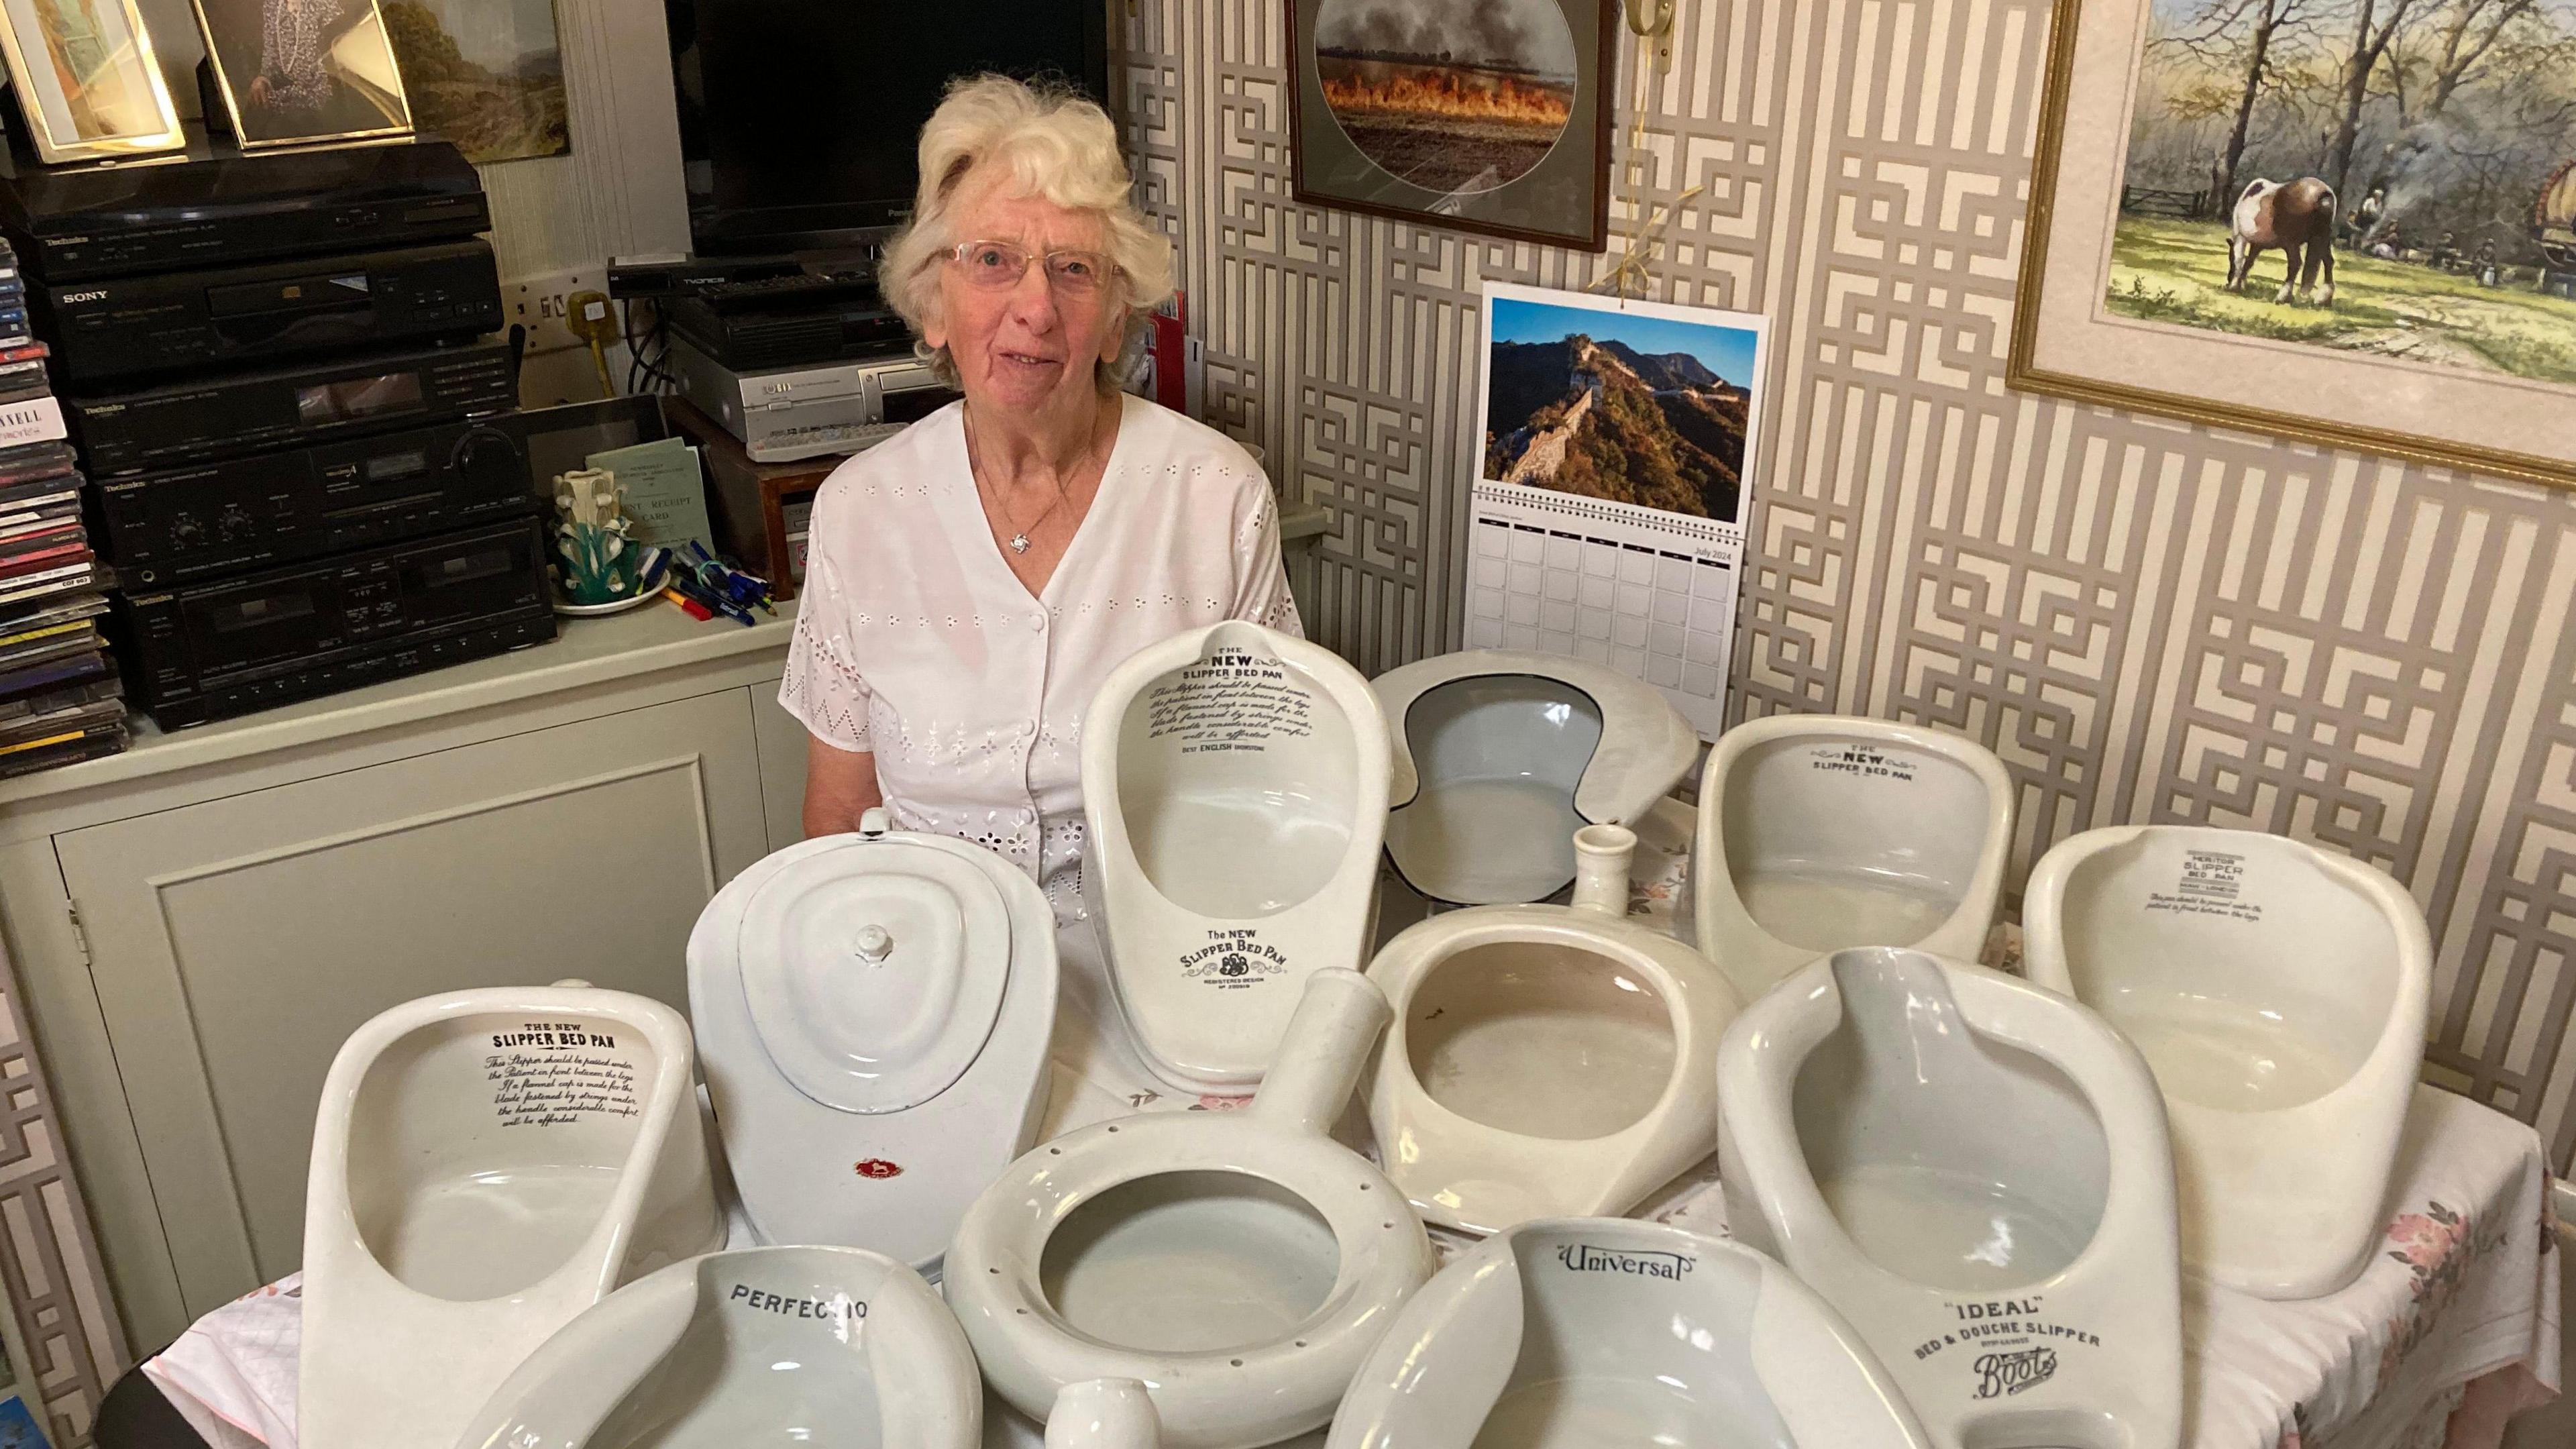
{"x": 61, "y": 697}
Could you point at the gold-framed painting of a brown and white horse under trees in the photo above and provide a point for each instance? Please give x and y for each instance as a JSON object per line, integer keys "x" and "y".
{"x": 2340, "y": 226}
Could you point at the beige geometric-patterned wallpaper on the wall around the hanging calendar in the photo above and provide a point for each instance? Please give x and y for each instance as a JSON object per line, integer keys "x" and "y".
{"x": 2142, "y": 618}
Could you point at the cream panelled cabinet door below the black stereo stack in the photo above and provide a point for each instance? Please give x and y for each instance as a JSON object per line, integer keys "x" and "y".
{"x": 238, "y": 942}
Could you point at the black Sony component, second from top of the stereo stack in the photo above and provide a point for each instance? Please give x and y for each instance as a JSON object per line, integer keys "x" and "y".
{"x": 135, "y": 326}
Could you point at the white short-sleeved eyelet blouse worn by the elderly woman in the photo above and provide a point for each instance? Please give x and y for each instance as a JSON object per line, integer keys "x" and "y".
{"x": 918, "y": 643}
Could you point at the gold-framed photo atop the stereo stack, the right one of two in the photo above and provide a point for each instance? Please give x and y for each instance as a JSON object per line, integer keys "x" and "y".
{"x": 300, "y": 73}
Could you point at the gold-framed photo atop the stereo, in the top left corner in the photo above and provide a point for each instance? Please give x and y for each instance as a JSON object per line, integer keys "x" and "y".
{"x": 86, "y": 79}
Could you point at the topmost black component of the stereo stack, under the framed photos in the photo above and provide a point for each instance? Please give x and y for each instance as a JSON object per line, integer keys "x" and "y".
{"x": 228, "y": 210}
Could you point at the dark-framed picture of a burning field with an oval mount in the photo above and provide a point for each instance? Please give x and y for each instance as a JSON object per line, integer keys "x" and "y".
{"x": 1477, "y": 115}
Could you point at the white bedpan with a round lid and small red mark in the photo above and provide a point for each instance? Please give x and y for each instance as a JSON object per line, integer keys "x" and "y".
{"x": 875, "y": 1015}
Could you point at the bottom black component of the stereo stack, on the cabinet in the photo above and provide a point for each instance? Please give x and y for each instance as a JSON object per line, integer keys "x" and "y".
{"x": 215, "y": 651}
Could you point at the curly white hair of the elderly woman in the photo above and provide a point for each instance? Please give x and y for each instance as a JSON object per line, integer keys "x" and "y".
{"x": 1055, "y": 146}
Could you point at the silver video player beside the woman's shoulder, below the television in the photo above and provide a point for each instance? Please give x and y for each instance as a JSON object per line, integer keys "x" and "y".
{"x": 805, "y": 414}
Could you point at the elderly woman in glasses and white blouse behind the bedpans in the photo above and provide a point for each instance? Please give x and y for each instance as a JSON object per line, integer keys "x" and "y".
{"x": 975, "y": 579}
